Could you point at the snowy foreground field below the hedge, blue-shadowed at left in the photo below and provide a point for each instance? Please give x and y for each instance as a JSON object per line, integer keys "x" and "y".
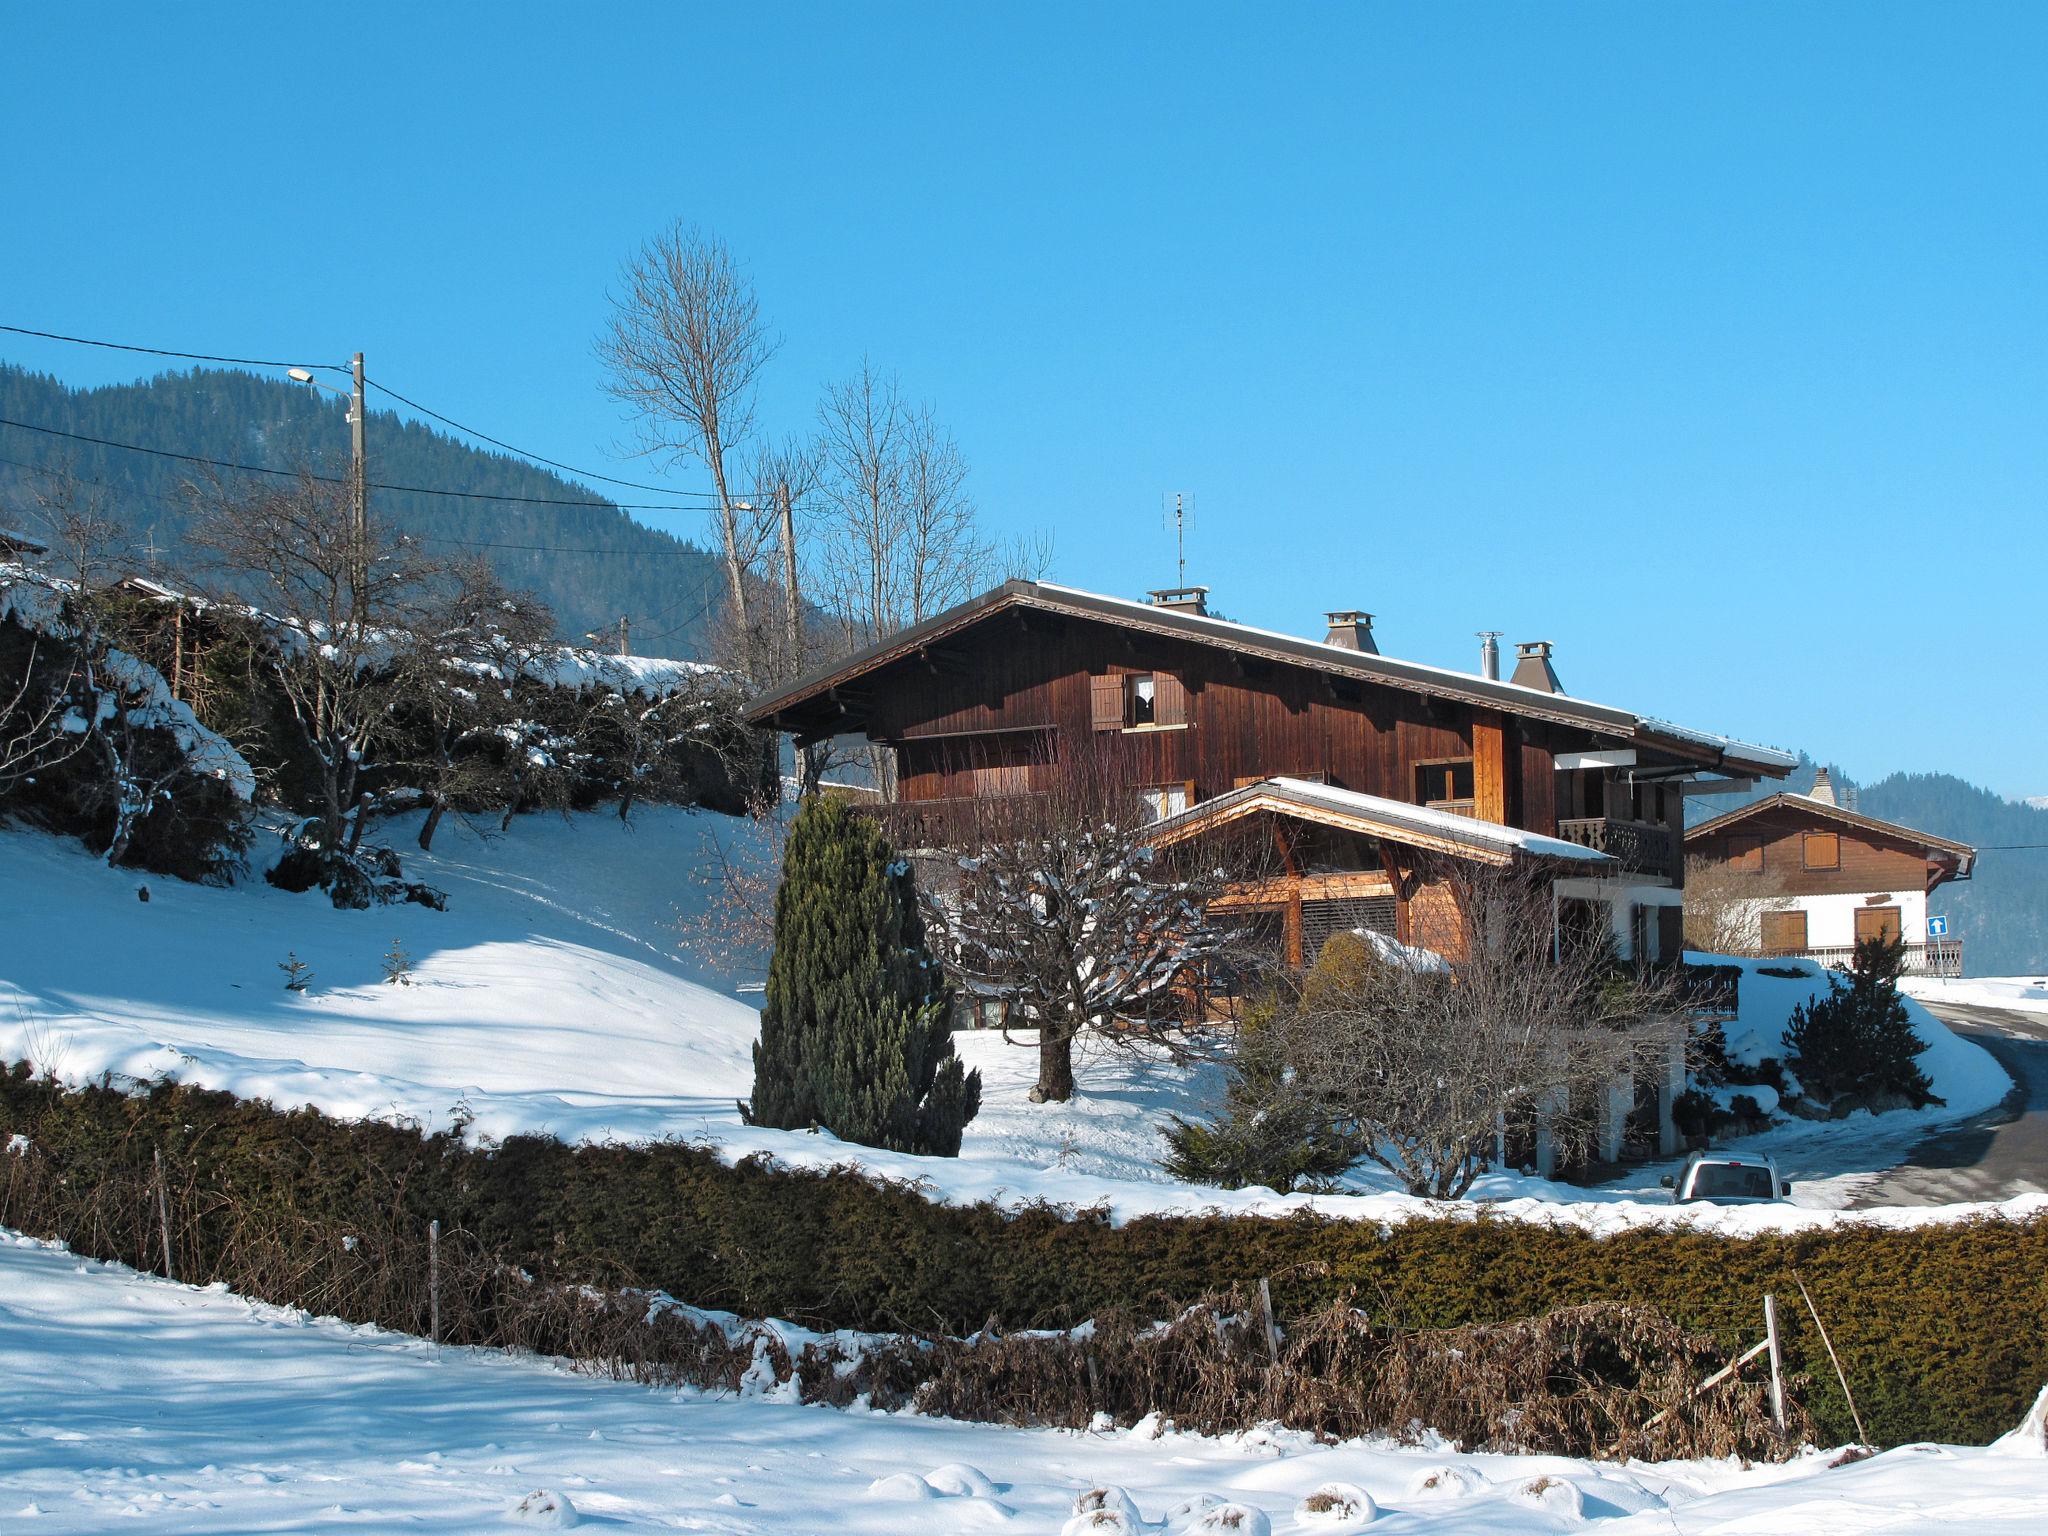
{"x": 134, "y": 1404}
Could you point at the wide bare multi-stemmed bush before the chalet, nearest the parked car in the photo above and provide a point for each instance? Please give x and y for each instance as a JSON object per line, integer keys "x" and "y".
{"x": 1422, "y": 1062}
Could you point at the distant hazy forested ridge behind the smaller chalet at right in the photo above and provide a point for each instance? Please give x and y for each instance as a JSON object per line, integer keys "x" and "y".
{"x": 2002, "y": 912}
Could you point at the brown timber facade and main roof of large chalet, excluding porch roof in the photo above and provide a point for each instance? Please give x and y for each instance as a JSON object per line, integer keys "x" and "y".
{"x": 998, "y": 697}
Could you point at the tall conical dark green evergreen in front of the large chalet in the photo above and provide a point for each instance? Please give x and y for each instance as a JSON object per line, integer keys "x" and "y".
{"x": 857, "y": 1027}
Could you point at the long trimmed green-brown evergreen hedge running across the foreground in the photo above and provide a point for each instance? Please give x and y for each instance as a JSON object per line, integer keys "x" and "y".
{"x": 1940, "y": 1328}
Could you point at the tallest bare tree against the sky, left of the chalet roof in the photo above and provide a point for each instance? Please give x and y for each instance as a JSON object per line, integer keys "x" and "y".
{"x": 683, "y": 351}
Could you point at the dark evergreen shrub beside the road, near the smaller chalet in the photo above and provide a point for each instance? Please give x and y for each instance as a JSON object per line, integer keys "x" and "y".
{"x": 1857, "y": 1048}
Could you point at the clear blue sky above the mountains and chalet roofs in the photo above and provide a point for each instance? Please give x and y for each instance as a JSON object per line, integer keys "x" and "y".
{"x": 1703, "y": 341}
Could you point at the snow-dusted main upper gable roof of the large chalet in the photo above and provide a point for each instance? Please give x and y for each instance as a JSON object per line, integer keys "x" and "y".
{"x": 1730, "y": 753}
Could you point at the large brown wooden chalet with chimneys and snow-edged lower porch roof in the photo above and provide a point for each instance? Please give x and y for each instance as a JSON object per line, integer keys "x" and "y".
{"x": 1371, "y": 769}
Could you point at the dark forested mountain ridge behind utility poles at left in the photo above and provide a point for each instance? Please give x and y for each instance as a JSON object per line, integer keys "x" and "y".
{"x": 591, "y": 564}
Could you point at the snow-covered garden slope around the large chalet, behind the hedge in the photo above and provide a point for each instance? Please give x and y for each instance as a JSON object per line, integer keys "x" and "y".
{"x": 552, "y": 996}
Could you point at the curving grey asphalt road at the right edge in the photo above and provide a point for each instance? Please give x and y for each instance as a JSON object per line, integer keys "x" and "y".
{"x": 1998, "y": 1154}
